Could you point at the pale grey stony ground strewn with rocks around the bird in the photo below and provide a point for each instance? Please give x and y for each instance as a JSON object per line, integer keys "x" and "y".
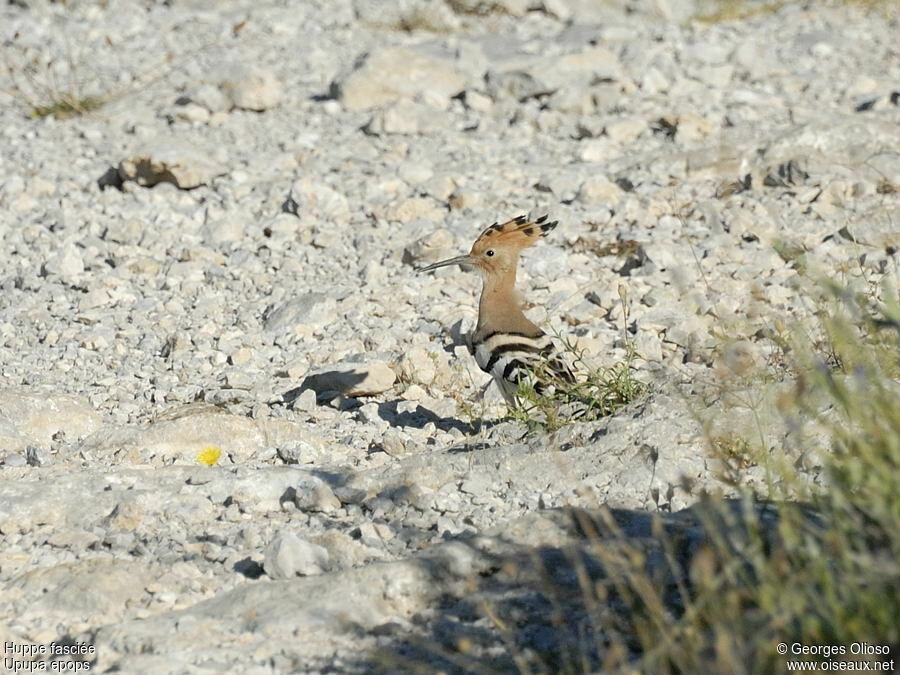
{"x": 238, "y": 431}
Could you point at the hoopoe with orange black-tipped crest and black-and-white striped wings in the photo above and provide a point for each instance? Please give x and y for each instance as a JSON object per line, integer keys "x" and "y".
{"x": 505, "y": 342}
